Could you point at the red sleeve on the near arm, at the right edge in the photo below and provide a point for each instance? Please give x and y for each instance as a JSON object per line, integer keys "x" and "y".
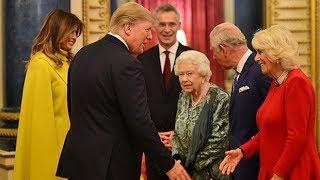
{"x": 298, "y": 95}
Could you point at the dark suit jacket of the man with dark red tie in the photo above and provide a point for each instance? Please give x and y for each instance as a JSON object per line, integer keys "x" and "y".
{"x": 163, "y": 106}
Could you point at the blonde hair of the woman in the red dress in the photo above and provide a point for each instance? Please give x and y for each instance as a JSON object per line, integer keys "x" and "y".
{"x": 279, "y": 45}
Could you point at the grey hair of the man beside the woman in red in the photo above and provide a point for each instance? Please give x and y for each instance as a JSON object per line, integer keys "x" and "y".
{"x": 227, "y": 34}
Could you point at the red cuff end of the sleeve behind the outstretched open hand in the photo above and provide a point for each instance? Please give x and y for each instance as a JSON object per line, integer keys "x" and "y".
{"x": 251, "y": 147}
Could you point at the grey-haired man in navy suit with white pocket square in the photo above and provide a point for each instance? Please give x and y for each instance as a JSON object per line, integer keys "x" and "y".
{"x": 249, "y": 90}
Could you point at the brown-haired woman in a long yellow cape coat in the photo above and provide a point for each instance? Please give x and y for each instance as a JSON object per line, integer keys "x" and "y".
{"x": 44, "y": 119}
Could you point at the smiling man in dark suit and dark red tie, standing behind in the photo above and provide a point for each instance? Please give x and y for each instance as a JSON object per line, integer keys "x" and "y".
{"x": 163, "y": 89}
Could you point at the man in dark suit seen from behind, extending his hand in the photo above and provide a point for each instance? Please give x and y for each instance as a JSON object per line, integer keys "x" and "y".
{"x": 110, "y": 119}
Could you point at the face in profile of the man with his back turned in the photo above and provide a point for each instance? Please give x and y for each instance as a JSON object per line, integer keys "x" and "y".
{"x": 141, "y": 34}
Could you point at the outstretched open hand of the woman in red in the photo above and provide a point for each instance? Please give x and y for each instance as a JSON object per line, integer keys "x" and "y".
{"x": 231, "y": 161}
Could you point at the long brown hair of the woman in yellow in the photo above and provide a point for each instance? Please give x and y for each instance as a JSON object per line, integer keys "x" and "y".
{"x": 57, "y": 26}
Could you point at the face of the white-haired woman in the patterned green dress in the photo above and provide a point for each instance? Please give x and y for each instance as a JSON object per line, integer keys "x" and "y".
{"x": 189, "y": 78}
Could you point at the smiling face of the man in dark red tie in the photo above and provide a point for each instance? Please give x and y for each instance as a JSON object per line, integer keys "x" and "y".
{"x": 167, "y": 25}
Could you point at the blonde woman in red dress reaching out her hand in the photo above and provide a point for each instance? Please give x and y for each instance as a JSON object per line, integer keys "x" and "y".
{"x": 286, "y": 120}
